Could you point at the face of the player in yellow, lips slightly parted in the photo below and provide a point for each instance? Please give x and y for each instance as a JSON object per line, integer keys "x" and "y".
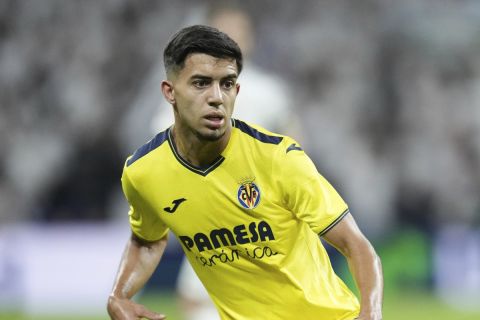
{"x": 203, "y": 94}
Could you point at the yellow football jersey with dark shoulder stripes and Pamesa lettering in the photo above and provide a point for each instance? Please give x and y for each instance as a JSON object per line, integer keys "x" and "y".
{"x": 249, "y": 223}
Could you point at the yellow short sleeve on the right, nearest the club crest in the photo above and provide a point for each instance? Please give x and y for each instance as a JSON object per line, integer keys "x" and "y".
{"x": 306, "y": 193}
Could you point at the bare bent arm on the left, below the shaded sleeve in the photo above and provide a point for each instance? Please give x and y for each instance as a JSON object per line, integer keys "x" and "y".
{"x": 139, "y": 260}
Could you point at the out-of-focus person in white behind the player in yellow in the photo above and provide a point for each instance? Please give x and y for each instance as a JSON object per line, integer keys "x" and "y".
{"x": 263, "y": 100}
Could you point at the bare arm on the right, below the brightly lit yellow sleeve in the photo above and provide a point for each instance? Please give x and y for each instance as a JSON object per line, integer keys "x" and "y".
{"x": 364, "y": 264}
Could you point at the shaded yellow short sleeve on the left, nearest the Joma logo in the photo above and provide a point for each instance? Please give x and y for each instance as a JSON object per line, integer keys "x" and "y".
{"x": 144, "y": 222}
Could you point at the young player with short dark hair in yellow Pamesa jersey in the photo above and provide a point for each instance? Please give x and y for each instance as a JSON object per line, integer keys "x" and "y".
{"x": 248, "y": 206}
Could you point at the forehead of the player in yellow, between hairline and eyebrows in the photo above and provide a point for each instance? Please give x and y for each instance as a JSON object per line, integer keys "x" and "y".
{"x": 204, "y": 64}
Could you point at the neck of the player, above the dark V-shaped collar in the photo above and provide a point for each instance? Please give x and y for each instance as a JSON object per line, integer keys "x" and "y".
{"x": 199, "y": 152}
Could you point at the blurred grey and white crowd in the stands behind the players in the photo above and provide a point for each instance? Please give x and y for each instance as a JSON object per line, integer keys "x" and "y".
{"x": 387, "y": 94}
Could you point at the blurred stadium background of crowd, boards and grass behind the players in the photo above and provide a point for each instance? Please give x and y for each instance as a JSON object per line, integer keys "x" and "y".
{"x": 383, "y": 95}
